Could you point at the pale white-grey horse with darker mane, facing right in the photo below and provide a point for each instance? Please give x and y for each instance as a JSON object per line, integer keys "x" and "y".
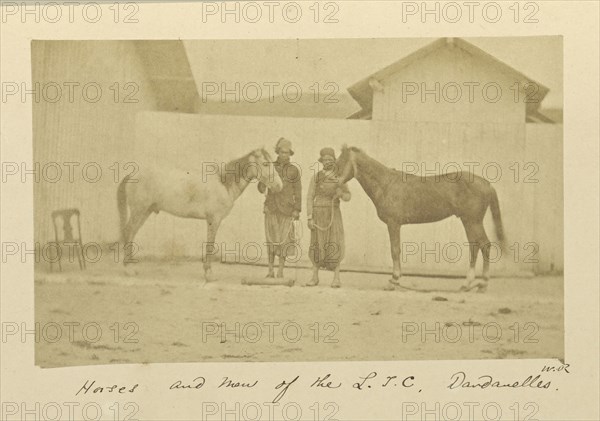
{"x": 208, "y": 194}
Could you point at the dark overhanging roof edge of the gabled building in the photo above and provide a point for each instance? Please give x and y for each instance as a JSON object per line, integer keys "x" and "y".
{"x": 362, "y": 91}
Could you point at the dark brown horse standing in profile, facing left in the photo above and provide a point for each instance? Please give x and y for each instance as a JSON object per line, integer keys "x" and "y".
{"x": 402, "y": 198}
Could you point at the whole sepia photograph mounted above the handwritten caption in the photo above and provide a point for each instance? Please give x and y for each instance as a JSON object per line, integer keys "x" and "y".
{"x": 297, "y": 200}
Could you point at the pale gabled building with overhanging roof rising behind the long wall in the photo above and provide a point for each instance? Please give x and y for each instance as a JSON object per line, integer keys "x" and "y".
{"x": 449, "y": 80}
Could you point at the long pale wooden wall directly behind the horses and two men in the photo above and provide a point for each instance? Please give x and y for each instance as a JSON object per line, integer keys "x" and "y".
{"x": 528, "y": 205}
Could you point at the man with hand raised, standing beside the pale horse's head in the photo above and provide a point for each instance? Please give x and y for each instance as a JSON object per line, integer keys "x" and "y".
{"x": 282, "y": 208}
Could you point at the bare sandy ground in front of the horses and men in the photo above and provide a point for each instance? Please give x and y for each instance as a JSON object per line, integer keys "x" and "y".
{"x": 167, "y": 313}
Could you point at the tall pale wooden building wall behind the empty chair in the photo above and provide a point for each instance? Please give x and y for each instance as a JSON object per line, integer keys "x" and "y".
{"x": 97, "y": 134}
